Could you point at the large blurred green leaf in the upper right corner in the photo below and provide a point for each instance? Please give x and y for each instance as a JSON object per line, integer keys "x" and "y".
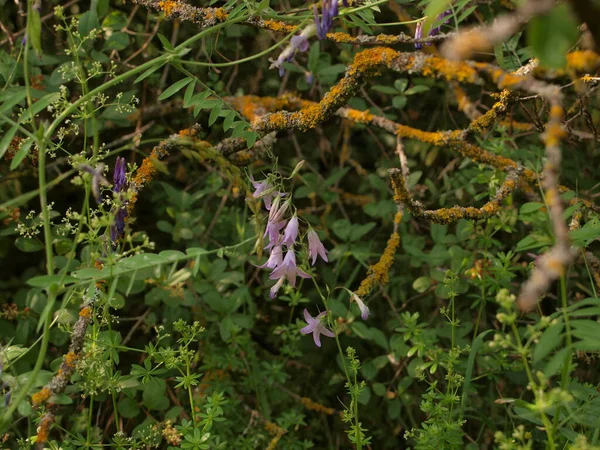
{"x": 552, "y": 35}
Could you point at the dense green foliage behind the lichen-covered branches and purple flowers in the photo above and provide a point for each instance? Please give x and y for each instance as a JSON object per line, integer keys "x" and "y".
{"x": 184, "y": 348}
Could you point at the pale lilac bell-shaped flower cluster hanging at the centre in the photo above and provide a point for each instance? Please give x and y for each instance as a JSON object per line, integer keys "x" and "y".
{"x": 284, "y": 267}
